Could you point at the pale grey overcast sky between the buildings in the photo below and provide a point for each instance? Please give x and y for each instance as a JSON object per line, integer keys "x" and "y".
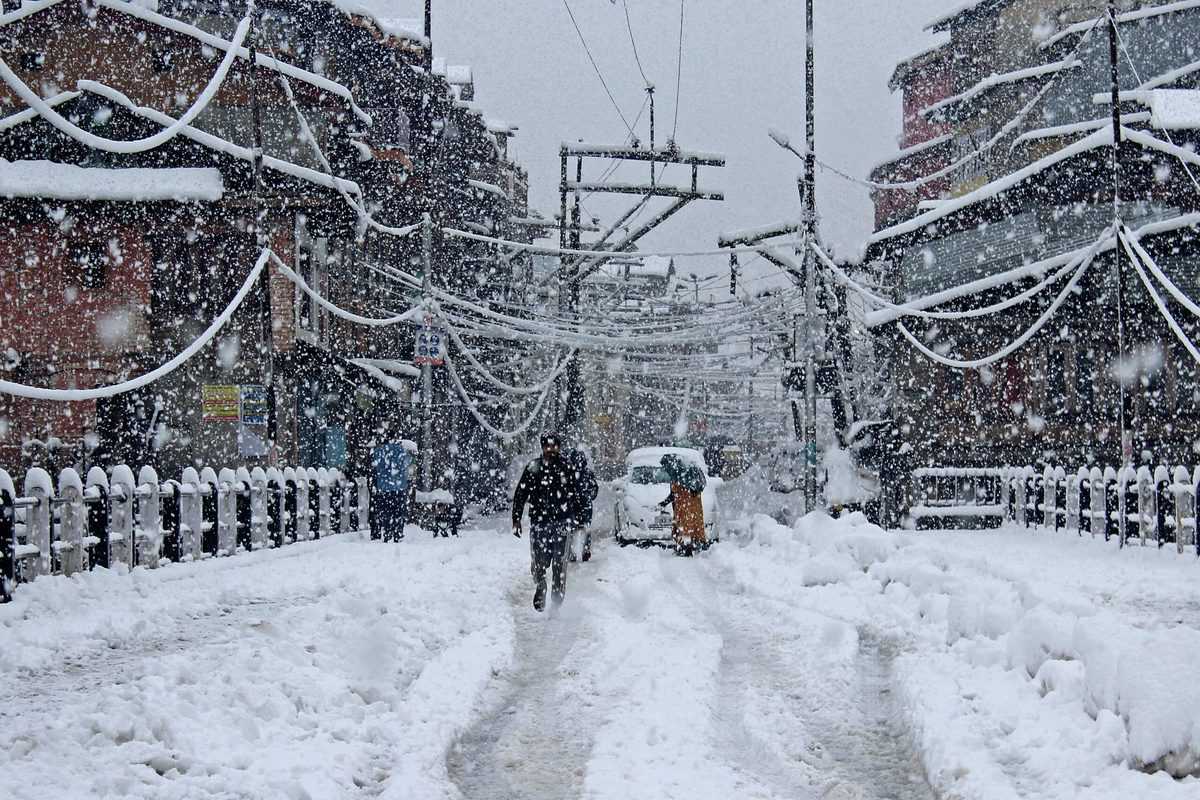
{"x": 742, "y": 74}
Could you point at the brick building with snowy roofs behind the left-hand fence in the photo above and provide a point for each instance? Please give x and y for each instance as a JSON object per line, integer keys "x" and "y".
{"x": 112, "y": 273}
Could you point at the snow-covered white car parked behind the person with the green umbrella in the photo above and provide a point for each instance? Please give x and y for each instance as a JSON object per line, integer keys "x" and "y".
{"x": 639, "y": 520}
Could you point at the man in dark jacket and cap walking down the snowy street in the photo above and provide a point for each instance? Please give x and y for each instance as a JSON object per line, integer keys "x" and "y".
{"x": 547, "y": 488}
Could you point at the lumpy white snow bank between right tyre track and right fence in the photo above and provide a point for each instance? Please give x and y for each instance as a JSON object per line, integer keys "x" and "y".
{"x": 1035, "y": 666}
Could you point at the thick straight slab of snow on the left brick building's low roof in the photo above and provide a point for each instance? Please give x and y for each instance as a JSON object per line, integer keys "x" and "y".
{"x": 49, "y": 179}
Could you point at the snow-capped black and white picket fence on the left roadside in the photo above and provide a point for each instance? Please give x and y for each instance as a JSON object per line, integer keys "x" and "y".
{"x": 112, "y": 519}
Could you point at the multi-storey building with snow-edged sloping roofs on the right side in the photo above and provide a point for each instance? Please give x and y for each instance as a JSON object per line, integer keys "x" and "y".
{"x": 1028, "y": 190}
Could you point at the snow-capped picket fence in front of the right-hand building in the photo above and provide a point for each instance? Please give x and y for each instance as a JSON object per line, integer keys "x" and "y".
{"x": 1144, "y": 507}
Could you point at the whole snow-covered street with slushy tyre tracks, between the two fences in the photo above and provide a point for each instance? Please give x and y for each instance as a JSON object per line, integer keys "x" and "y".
{"x": 830, "y": 661}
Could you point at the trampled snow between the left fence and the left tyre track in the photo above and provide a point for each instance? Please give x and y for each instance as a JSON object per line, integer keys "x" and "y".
{"x": 328, "y": 670}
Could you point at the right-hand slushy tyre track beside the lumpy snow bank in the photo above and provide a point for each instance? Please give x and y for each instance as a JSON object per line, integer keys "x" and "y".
{"x": 848, "y": 741}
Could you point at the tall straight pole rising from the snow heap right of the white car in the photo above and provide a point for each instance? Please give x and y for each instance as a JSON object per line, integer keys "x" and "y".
{"x": 808, "y": 195}
